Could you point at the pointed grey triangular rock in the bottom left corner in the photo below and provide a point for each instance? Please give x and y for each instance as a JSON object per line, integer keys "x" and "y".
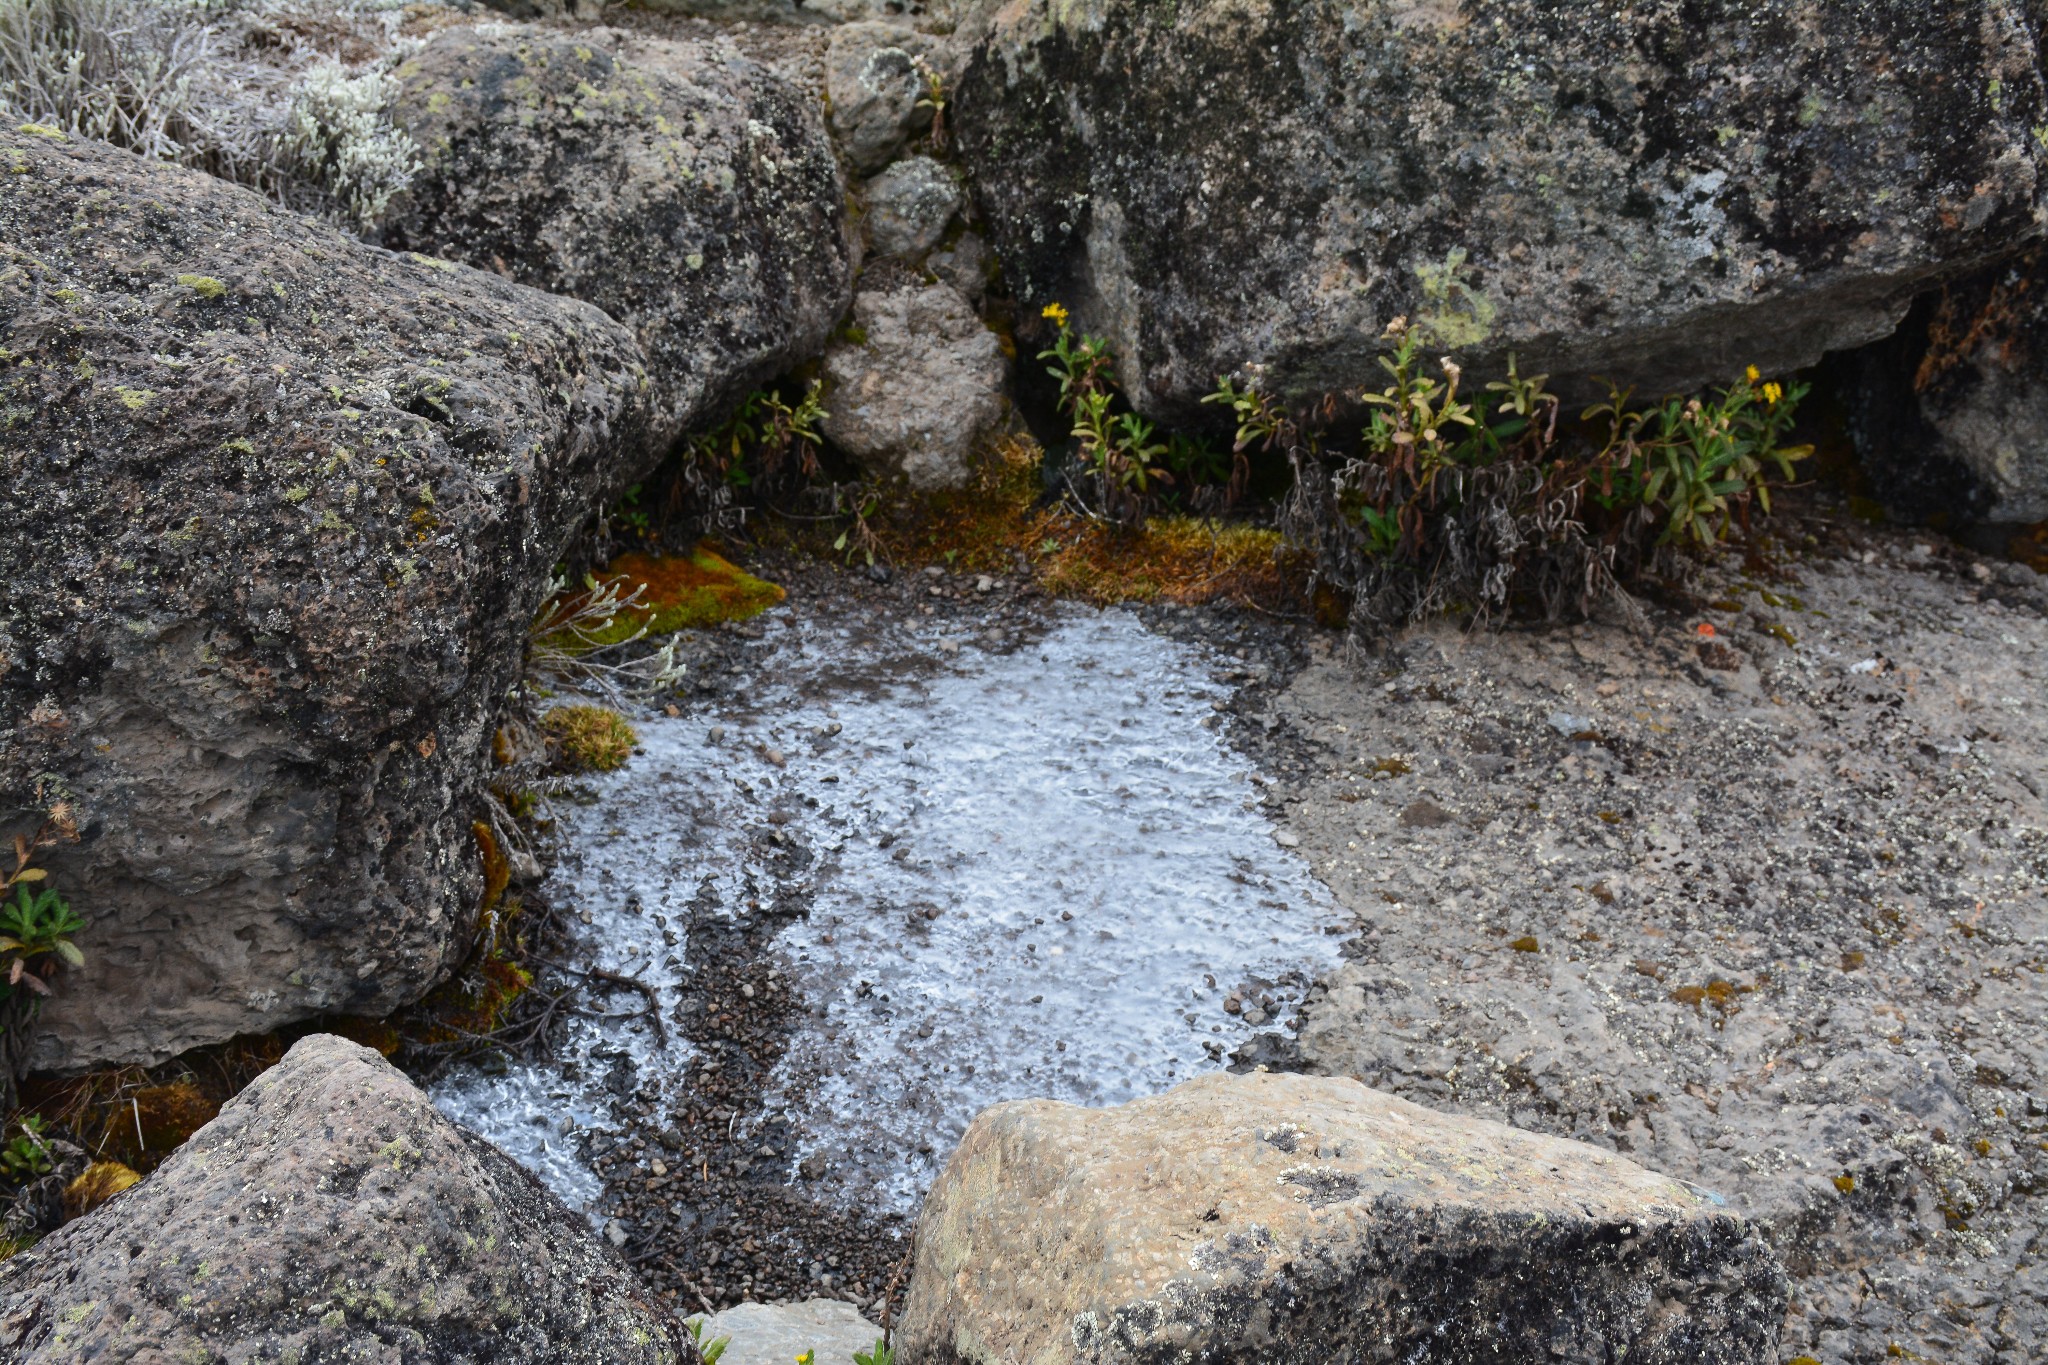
{"x": 333, "y": 1215}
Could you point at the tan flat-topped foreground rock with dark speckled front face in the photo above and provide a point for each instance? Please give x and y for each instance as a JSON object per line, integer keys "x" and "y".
{"x": 1302, "y": 1221}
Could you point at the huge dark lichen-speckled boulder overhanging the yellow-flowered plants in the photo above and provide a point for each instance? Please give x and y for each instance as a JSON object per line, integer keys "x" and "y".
{"x": 1658, "y": 193}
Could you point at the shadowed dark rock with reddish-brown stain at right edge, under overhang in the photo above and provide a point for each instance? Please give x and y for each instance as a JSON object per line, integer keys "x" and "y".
{"x": 1951, "y": 416}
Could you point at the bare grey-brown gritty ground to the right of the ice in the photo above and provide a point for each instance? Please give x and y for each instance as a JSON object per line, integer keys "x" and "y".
{"x": 1756, "y": 895}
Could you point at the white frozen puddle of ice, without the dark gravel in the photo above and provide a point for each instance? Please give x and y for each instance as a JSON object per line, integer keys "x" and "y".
{"x": 1037, "y": 875}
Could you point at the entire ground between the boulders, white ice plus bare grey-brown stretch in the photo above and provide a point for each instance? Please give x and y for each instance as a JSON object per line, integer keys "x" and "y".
{"x": 1760, "y": 906}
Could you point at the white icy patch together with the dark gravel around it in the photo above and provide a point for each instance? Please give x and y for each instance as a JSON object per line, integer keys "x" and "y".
{"x": 892, "y": 867}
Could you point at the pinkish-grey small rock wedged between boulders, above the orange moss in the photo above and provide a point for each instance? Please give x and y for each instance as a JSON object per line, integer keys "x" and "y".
{"x": 921, "y": 386}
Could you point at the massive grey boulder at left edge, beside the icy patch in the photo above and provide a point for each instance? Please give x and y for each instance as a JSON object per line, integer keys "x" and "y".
{"x": 284, "y": 509}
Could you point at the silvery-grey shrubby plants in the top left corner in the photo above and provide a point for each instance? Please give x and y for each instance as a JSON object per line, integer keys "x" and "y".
{"x": 290, "y": 97}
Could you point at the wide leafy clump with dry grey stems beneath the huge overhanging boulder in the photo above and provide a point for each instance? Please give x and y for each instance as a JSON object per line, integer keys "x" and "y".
{"x": 1476, "y": 502}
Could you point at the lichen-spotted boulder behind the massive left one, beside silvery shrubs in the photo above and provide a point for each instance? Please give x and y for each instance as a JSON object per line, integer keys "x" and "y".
{"x": 685, "y": 189}
